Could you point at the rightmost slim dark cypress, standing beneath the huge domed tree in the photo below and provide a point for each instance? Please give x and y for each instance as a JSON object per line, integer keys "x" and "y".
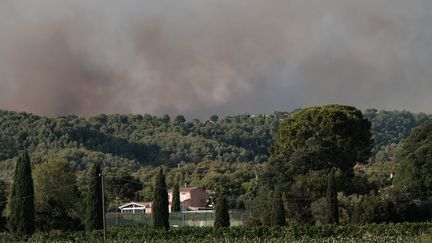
{"x": 332, "y": 212}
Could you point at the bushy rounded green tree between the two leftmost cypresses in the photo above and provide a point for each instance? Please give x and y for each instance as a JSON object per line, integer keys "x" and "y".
{"x": 56, "y": 196}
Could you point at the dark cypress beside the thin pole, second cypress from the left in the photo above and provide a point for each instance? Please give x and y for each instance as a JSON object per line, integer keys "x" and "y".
{"x": 94, "y": 210}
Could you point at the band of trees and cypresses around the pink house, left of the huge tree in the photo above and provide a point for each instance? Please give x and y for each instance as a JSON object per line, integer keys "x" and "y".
{"x": 50, "y": 196}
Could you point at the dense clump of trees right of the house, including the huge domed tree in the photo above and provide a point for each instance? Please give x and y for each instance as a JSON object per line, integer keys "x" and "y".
{"x": 319, "y": 159}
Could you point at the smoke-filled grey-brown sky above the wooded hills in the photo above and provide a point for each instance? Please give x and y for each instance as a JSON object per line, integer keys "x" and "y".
{"x": 203, "y": 57}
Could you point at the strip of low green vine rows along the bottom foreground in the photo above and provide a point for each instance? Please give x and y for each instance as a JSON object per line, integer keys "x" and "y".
{"x": 404, "y": 232}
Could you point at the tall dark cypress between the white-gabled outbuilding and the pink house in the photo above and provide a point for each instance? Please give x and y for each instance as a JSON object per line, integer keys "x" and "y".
{"x": 160, "y": 213}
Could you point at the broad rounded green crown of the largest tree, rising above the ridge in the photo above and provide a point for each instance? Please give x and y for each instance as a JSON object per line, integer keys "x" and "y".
{"x": 320, "y": 138}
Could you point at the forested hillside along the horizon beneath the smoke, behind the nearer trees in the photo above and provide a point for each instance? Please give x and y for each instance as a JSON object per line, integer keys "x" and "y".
{"x": 135, "y": 140}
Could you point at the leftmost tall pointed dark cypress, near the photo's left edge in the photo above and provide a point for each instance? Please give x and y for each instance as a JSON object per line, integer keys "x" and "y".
{"x": 22, "y": 218}
